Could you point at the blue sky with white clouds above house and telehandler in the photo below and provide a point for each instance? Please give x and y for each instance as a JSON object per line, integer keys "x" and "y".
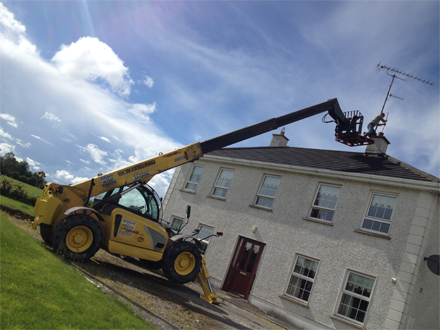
{"x": 87, "y": 87}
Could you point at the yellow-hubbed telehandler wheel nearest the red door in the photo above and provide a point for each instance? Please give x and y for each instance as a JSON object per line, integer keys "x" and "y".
{"x": 181, "y": 262}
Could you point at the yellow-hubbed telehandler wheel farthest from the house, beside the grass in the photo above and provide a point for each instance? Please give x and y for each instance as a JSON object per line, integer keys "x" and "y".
{"x": 78, "y": 237}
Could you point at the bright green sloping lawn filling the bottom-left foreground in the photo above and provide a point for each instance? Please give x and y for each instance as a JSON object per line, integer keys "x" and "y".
{"x": 39, "y": 291}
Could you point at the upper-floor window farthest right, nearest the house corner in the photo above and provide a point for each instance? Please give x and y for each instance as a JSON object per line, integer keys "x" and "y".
{"x": 378, "y": 218}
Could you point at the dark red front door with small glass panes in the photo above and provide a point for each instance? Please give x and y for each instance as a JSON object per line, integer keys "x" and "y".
{"x": 243, "y": 268}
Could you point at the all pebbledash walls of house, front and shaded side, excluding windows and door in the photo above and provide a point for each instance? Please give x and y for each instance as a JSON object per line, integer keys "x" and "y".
{"x": 405, "y": 293}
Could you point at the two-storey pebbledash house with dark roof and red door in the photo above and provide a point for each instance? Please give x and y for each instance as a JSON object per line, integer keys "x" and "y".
{"x": 318, "y": 238}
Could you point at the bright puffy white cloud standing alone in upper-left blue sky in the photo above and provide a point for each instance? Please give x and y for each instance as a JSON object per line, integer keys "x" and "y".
{"x": 90, "y": 59}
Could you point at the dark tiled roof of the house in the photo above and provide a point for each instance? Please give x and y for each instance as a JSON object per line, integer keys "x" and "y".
{"x": 344, "y": 161}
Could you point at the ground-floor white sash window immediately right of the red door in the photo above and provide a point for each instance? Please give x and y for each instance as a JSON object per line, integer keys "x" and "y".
{"x": 302, "y": 278}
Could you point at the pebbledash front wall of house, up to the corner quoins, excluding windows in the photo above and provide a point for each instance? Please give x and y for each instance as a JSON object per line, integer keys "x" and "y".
{"x": 286, "y": 233}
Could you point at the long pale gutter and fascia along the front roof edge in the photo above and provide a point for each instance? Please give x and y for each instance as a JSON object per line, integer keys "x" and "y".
{"x": 368, "y": 178}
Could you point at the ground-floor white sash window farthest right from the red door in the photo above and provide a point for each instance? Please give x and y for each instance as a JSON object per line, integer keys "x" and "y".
{"x": 356, "y": 296}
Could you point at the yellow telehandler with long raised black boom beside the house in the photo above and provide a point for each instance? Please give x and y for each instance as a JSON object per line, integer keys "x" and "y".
{"x": 125, "y": 217}
